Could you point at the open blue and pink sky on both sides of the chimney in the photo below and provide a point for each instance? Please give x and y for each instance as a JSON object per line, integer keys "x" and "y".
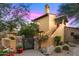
{"x": 37, "y": 9}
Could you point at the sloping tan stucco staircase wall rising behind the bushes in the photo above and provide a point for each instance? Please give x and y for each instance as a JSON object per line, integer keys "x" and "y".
{"x": 58, "y": 32}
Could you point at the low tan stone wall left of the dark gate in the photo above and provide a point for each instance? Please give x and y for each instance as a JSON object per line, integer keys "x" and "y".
{"x": 7, "y": 42}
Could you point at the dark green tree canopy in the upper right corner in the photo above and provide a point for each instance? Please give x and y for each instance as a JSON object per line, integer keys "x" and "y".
{"x": 71, "y": 10}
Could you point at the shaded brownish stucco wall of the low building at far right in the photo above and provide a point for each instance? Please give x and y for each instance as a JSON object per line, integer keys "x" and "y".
{"x": 67, "y": 33}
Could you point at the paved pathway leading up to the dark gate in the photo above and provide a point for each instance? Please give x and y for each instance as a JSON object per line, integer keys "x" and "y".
{"x": 31, "y": 53}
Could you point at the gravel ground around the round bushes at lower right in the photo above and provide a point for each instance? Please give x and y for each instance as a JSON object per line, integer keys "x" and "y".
{"x": 74, "y": 51}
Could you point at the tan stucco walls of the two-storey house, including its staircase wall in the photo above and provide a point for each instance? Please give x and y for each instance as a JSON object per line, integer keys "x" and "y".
{"x": 47, "y": 24}
